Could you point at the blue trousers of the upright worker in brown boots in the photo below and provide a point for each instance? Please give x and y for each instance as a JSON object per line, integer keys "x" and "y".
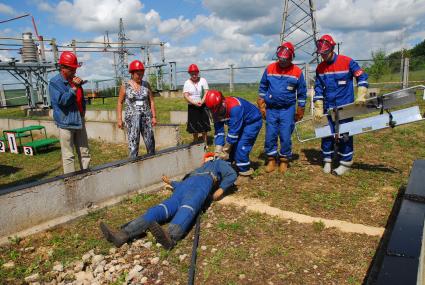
{"x": 279, "y": 122}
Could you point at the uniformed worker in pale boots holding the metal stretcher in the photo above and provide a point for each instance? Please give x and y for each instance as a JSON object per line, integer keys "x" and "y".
{"x": 333, "y": 88}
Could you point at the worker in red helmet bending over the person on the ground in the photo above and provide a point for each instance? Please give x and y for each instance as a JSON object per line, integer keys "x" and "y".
{"x": 244, "y": 123}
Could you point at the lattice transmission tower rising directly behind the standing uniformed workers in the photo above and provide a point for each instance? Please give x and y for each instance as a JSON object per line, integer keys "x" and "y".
{"x": 299, "y": 27}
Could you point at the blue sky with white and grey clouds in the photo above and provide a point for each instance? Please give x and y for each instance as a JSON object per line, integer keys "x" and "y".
{"x": 215, "y": 33}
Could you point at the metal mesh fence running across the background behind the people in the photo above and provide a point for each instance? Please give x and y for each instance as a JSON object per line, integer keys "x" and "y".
{"x": 386, "y": 74}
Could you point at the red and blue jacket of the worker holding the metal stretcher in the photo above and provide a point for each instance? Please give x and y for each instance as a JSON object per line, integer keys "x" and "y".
{"x": 334, "y": 81}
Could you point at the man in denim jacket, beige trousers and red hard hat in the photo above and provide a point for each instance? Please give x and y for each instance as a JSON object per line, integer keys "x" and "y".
{"x": 69, "y": 107}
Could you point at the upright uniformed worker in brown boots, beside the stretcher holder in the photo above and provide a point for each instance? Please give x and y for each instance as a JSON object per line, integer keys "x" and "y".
{"x": 282, "y": 88}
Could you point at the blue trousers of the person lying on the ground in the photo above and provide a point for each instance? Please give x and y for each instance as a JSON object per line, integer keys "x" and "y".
{"x": 180, "y": 209}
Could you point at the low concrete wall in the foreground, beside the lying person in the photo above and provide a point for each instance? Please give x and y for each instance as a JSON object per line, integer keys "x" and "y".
{"x": 49, "y": 202}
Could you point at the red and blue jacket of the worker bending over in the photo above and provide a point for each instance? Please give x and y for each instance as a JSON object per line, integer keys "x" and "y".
{"x": 239, "y": 113}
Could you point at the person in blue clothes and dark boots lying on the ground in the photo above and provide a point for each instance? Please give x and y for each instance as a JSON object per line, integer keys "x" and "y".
{"x": 181, "y": 209}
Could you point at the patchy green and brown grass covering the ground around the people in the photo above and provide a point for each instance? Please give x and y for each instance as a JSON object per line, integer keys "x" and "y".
{"x": 256, "y": 247}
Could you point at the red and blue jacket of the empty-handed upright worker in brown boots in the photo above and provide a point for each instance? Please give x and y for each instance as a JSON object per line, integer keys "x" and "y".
{"x": 281, "y": 87}
